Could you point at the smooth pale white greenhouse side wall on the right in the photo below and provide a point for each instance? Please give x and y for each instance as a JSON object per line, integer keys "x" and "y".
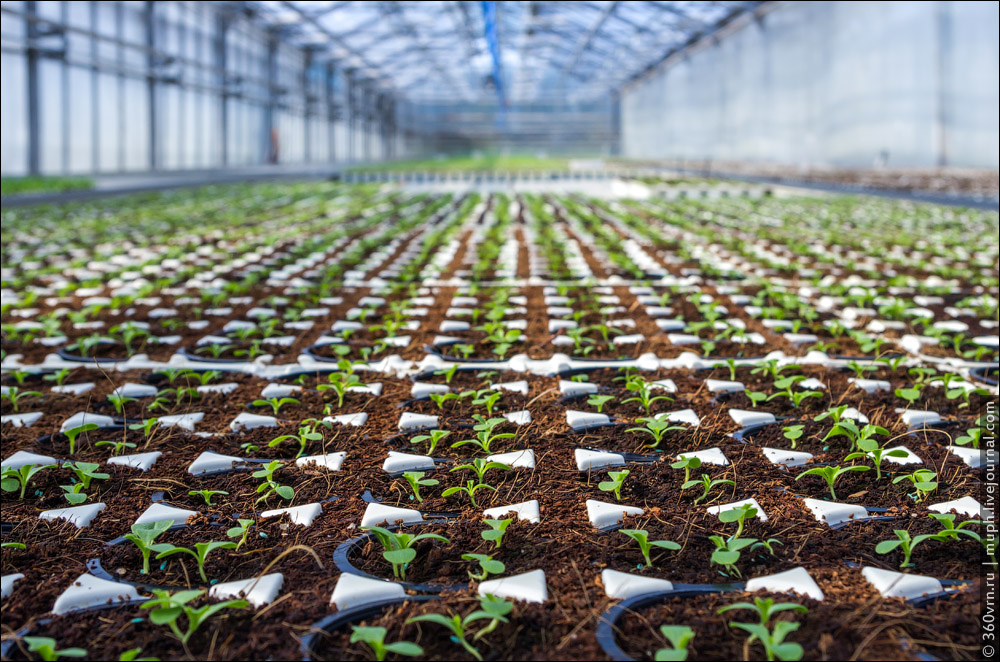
{"x": 830, "y": 83}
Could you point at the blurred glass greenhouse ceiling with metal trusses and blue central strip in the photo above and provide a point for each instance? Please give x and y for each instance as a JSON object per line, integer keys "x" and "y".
{"x": 513, "y": 51}
